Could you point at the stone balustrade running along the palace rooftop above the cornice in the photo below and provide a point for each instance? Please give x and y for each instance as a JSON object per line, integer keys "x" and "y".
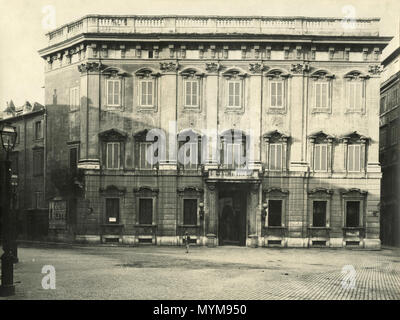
{"x": 213, "y": 25}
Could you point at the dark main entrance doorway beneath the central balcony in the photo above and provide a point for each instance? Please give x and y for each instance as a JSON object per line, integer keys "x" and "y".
{"x": 232, "y": 214}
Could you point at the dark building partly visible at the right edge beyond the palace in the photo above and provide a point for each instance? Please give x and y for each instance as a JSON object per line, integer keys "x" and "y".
{"x": 389, "y": 146}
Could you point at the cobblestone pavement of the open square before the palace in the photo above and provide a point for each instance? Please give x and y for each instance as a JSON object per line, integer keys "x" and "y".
{"x": 88, "y": 272}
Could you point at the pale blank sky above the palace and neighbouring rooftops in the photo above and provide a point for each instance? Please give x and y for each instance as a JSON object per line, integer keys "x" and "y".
{"x": 22, "y": 32}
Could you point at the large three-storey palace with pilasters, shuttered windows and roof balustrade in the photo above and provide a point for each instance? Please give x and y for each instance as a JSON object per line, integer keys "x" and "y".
{"x": 259, "y": 131}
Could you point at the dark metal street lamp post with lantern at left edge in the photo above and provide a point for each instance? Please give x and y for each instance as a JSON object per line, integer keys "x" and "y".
{"x": 8, "y": 136}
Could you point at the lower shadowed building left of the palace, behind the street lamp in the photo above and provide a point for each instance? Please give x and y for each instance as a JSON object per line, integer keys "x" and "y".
{"x": 28, "y": 169}
